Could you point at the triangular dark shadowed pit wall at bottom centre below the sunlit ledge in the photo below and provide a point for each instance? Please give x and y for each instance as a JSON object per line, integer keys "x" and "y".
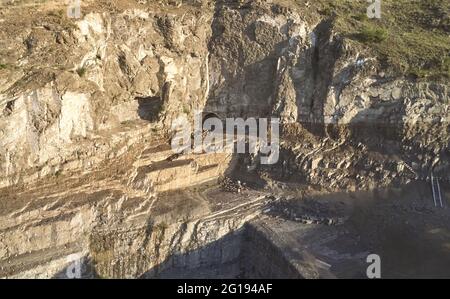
{"x": 242, "y": 254}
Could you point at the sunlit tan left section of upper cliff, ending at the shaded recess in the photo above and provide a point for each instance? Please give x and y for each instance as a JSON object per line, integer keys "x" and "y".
{"x": 81, "y": 88}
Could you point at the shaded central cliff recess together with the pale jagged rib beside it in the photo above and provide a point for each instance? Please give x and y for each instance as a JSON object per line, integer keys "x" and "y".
{"x": 265, "y": 61}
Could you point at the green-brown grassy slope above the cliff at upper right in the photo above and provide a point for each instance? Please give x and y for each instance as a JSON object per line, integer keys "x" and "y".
{"x": 412, "y": 37}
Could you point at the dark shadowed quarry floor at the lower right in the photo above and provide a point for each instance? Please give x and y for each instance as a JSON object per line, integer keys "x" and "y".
{"x": 401, "y": 225}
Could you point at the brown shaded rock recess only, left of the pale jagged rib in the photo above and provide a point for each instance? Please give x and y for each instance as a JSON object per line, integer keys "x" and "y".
{"x": 249, "y": 79}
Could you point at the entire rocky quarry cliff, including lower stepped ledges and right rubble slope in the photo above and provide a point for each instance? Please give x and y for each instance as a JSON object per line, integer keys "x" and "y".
{"x": 87, "y": 104}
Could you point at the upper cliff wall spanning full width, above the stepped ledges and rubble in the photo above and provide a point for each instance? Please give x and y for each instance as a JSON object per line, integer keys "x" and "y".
{"x": 77, "y": 84}
